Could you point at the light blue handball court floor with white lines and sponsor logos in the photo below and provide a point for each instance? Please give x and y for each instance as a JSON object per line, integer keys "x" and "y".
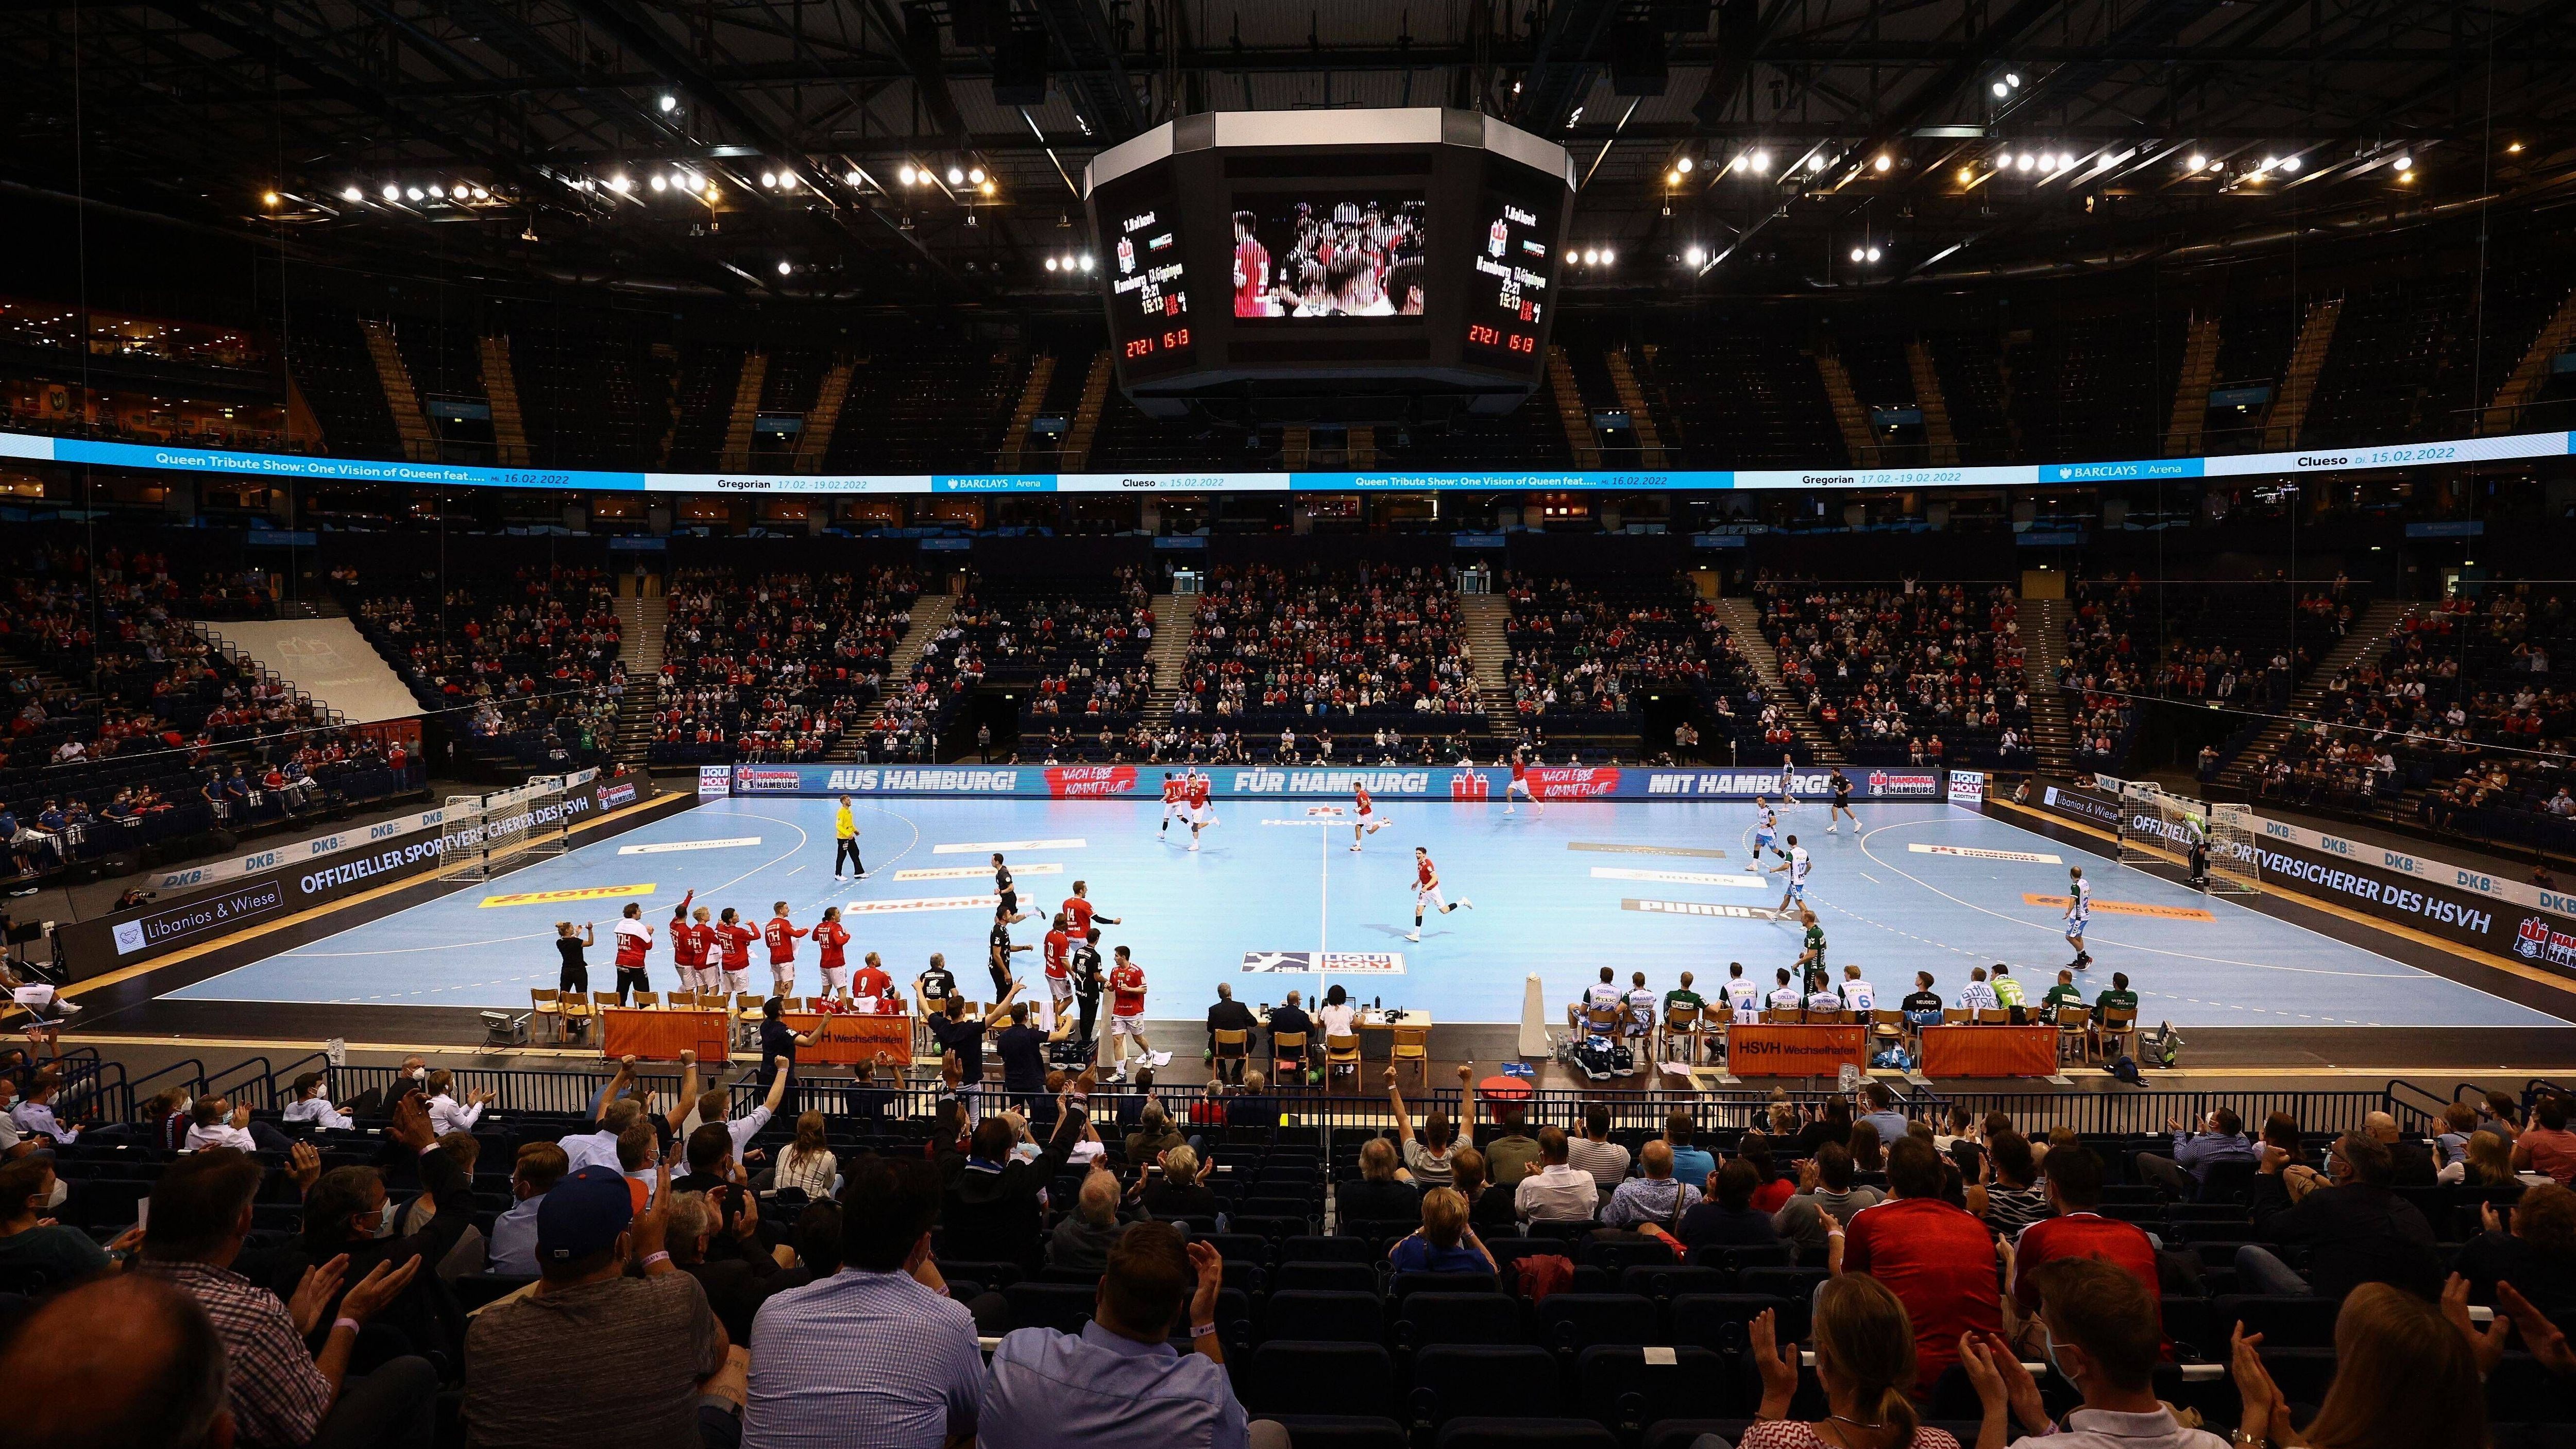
{"x": 1634, "y": 887}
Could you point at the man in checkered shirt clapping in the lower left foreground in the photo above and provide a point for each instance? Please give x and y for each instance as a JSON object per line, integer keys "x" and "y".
{"x": 282, "y": 1394}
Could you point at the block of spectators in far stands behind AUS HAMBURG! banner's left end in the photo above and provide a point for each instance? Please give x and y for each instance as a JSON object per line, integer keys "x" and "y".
{"x": 774, "y": 668}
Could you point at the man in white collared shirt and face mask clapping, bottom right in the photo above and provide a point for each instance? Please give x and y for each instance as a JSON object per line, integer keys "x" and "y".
{"x": 2101, "y": 1332}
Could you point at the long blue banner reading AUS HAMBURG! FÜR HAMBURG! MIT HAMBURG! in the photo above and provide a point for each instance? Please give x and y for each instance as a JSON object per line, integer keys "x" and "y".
{"x": 1315, "y": 781}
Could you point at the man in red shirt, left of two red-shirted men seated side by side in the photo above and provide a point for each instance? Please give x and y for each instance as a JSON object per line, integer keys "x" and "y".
{"x": 1938, "y": 1260}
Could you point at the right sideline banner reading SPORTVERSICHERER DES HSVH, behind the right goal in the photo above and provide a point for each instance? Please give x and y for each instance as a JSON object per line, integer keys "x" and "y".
{"x": 2459, "y": 905}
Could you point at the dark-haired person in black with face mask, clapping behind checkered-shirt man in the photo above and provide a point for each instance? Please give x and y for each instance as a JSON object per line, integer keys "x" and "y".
{"x": 352, "y": 1214}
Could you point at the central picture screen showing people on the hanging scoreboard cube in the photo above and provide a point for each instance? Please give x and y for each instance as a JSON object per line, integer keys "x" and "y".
{"x": 1323, "y": 256}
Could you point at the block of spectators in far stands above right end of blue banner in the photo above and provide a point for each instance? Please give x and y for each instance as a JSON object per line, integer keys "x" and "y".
{"x": 1905, "y": 676}
